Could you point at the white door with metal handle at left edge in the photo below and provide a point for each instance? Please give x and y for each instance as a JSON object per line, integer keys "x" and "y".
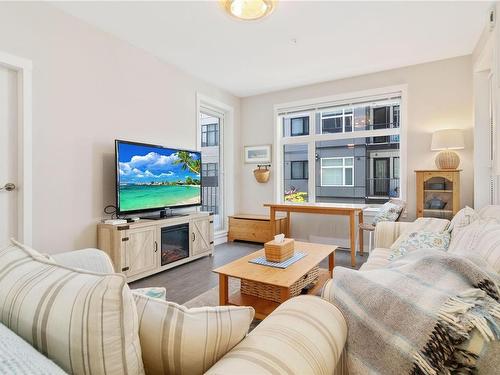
{"x": 8, "y": 155}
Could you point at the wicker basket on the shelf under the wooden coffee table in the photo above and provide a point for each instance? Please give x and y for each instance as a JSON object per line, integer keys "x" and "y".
{"x": 272, "y": 292}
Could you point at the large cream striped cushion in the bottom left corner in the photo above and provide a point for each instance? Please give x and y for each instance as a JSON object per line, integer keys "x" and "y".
{"x": 85, "y": 322}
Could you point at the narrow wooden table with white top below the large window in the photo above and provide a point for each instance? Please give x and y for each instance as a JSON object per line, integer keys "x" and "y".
{"x": 341, "y": 209}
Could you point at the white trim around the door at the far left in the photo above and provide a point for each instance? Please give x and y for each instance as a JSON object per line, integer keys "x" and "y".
{"x": 24, "y": 68}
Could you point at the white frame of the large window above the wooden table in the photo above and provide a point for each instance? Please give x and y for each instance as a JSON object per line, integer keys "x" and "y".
{"x": 312, "y": 106}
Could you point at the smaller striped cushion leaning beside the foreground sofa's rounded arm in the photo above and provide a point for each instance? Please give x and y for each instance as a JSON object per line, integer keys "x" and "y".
{"x": 176, "y": 339}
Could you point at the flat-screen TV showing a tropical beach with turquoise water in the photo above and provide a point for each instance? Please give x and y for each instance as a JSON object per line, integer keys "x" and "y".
{"x": 153, "y": 177}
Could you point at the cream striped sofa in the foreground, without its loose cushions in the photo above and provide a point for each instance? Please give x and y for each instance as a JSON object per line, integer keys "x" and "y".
{"x": 292, "y": 340}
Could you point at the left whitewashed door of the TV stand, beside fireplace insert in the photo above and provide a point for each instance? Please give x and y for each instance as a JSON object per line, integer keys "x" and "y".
{"x": 141, "y": 250}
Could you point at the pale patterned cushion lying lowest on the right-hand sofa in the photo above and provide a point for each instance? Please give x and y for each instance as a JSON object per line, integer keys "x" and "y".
{"x": 411, "y": 241}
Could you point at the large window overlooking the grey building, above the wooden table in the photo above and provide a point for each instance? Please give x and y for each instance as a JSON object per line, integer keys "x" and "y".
{"x": 353, "y": 144}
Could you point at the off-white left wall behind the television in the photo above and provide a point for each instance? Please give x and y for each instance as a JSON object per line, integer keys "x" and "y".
{"x": 88, "y": 89}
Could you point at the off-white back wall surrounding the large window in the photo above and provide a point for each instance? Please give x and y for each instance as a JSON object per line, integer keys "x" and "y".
{"x": 439, "y": 96}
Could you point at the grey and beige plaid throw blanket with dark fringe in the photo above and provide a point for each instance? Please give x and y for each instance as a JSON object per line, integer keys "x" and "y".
{"x": 418, "y": 314}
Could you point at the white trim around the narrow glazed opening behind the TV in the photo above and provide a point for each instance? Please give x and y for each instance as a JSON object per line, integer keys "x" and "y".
{"x": 226, "y": 152}
